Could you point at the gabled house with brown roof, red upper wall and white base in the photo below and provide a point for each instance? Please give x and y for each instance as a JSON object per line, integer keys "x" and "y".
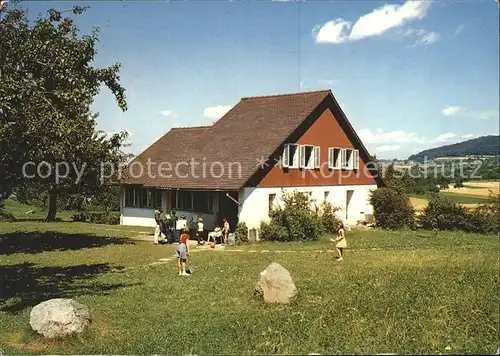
{"x": 237, "y": 167}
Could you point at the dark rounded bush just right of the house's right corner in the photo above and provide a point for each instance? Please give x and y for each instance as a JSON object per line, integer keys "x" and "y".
{"x": 392, "y": 209}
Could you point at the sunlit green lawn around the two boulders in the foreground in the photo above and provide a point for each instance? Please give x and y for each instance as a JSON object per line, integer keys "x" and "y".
{"x": 395, "y": 292}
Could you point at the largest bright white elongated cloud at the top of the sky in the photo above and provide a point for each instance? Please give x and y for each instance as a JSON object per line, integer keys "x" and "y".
{"x": 372, "y": 24}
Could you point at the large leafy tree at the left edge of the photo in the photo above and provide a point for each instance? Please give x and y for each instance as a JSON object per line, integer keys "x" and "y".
{"x": 47, "y": 87}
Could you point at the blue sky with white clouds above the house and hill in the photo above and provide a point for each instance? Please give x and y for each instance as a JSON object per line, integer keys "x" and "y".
{"x": 409, "y": 75}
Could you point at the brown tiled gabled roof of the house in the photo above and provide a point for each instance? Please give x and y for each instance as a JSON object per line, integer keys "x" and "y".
{"x": 254, "y": 128}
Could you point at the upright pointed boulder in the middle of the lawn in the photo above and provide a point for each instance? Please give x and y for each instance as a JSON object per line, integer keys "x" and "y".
{"x": 276, "y": 285}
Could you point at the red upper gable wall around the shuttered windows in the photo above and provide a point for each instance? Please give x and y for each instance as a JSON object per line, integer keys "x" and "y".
{"x": 325, "y": 132}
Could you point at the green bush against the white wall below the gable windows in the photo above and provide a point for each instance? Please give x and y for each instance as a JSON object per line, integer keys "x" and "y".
{"x": 296, "y": 221}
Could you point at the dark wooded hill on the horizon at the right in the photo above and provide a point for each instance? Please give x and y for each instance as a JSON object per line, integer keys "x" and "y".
{"x": 484, "y": 145}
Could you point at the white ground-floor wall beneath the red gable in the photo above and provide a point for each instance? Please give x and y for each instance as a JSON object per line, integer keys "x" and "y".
{"x": 255, "y": 202}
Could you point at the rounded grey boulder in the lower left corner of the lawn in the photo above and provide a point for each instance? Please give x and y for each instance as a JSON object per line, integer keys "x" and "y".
{"x": 59, "y": 317}
